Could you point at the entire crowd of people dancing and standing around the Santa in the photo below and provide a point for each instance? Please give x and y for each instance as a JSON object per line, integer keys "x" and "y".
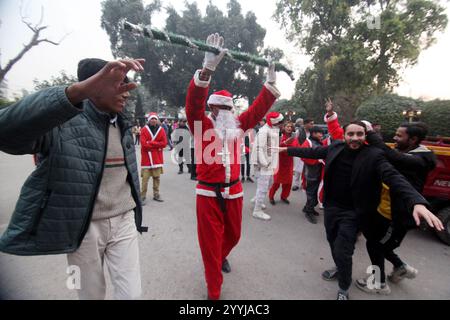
{"x": 85, "y": 199}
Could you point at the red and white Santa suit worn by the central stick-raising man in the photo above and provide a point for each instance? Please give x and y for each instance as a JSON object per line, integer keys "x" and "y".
{"x": 218, "y": 231}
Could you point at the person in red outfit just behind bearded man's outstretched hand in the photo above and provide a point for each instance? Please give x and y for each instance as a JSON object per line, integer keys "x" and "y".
{"x": 284, "y": 174}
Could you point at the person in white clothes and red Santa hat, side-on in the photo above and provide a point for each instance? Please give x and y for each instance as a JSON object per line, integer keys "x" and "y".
{"x": 265, "y": 161}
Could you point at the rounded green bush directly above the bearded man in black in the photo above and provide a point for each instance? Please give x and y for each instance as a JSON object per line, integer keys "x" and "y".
{"x": 386, "y": 110}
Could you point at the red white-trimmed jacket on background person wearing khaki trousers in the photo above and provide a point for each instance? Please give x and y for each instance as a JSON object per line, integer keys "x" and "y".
{"x": 152, "y": 148}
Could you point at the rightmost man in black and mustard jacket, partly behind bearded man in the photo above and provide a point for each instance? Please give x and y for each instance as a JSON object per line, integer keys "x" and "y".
{"x": 390, "y": 225}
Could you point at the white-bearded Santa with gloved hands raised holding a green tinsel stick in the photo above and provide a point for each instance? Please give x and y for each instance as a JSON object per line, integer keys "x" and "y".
{"x": 219, "y": 190}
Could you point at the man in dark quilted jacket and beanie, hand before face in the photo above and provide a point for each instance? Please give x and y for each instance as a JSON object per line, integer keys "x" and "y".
{"x": 83, "y": 198}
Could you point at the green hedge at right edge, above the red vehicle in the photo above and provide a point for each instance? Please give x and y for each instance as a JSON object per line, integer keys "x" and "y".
{"x": 436, "y": 114}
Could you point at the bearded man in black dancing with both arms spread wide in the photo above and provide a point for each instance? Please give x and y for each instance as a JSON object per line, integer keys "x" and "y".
{"x": 352, "y": 180}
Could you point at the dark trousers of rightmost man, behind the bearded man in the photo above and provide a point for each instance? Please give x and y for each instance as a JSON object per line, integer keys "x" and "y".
{"x": 382, "y": 238}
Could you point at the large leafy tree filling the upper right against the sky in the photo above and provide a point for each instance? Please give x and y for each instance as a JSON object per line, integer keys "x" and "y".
{"x": 353, "y": 59}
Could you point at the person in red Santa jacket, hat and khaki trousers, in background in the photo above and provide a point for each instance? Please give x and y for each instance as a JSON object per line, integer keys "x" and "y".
{"x": 153, "y": 142}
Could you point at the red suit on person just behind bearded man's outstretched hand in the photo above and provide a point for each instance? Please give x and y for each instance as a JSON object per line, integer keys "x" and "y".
{"x": 285, "y": 170}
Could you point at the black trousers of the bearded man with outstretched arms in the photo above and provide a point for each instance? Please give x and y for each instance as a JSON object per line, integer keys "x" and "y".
{"x": 342, "y": 227}
